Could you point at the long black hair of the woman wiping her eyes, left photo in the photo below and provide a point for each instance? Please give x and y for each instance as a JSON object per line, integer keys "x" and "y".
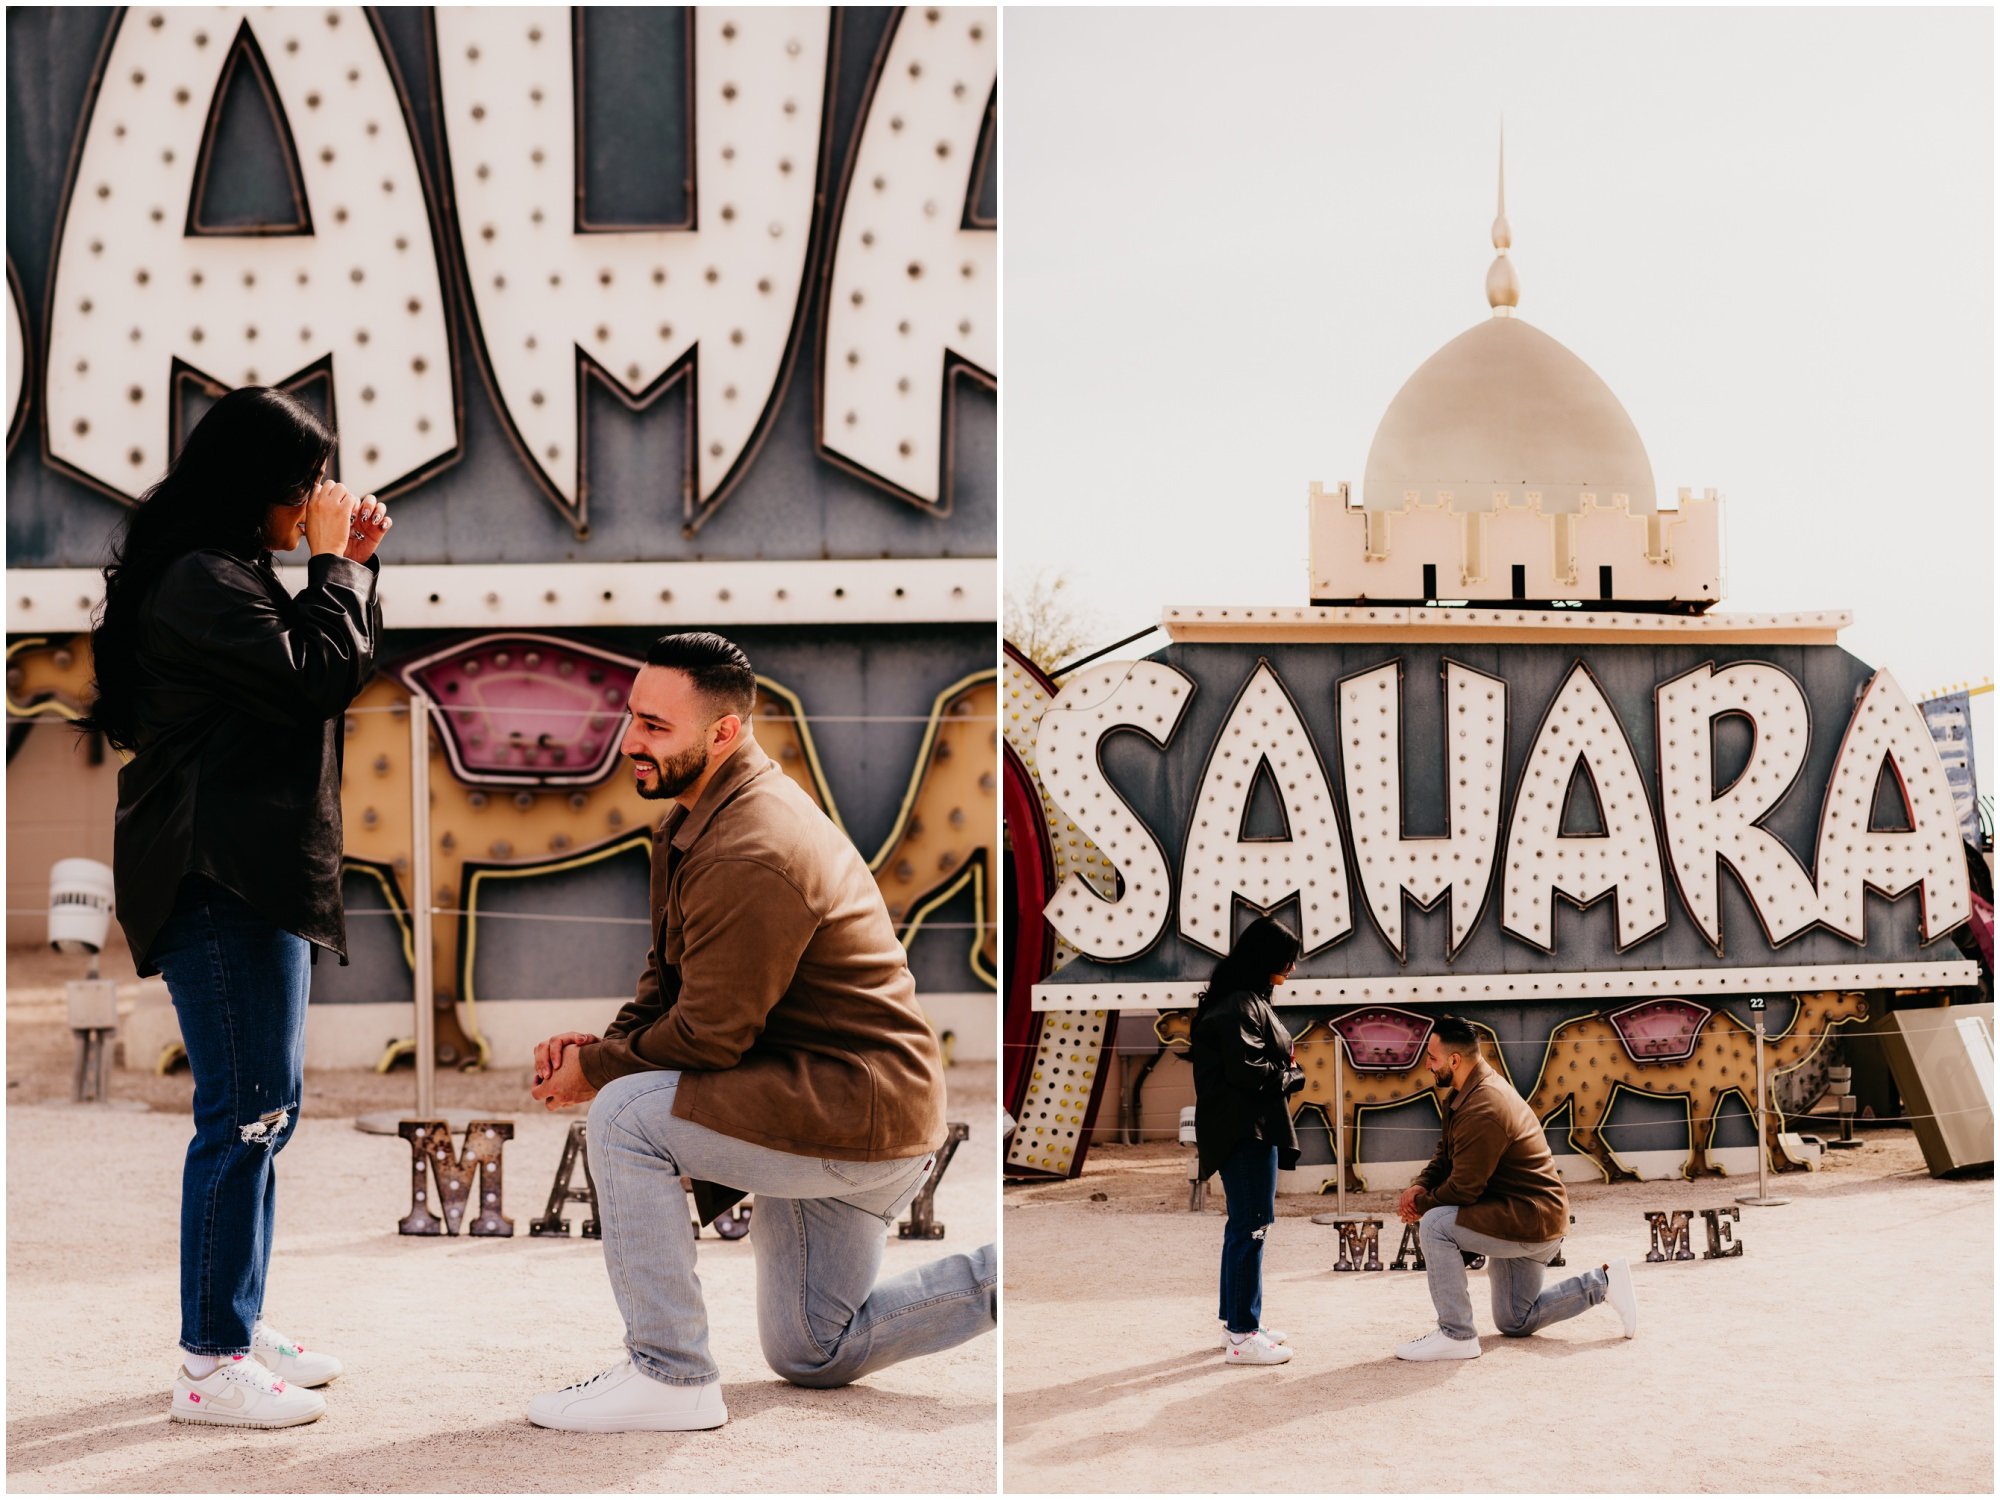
{"x": 253, "y": 451}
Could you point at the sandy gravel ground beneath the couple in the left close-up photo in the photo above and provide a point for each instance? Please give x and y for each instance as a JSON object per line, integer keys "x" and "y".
{"x": 445, "y": 1341}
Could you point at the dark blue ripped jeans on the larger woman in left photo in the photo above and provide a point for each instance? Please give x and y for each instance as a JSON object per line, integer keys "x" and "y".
{"x": 239, "y": 991}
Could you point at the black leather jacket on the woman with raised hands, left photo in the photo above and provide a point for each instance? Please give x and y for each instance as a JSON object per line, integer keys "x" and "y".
{"x": 241, "y": 695}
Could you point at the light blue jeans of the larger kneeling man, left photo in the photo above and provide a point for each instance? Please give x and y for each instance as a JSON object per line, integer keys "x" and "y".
{"x": 817, "y": 1229}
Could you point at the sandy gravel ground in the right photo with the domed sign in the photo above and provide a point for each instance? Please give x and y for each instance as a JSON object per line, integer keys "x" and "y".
{"x": 1847, "y": 1351}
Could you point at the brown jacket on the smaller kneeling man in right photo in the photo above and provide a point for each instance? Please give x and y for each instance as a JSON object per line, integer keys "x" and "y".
{"x": 1495, "y": 1165}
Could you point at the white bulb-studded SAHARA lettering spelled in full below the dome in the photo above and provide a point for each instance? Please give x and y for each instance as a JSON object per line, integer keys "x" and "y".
{"x": 1291, "y": 801}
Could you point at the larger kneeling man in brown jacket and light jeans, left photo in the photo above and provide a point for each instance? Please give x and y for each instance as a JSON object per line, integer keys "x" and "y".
{"x": 775, "y": 1047}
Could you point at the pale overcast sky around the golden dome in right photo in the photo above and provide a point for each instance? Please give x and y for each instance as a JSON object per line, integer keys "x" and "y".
{"x": 1233, "y": 235}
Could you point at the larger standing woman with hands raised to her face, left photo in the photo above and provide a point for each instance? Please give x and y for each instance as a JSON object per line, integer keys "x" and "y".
{"x": 229, "y": 697}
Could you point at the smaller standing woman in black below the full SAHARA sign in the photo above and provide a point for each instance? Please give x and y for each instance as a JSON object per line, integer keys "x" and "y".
{"x": 1243, "y": 1129}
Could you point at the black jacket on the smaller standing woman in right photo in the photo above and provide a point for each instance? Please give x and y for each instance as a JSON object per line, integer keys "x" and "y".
{"x": 1241, "y": 1053}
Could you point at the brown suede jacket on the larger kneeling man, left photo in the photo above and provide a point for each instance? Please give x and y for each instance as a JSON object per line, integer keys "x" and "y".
{"x": 777, "y": 985}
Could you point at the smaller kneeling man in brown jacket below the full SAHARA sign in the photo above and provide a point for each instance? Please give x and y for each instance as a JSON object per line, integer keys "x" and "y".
{"x": 1493, "y": 1191}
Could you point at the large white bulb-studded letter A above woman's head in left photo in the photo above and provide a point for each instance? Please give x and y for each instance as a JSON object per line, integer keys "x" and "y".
{"x": 139, "y": 285}
